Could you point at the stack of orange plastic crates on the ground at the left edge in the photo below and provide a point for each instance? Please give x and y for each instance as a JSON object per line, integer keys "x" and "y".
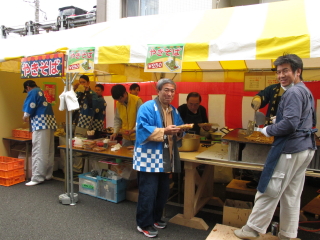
{"x": 11, "y": 171}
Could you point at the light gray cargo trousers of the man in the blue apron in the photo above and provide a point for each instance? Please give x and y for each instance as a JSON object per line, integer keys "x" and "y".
{"x": 286, "y": 186}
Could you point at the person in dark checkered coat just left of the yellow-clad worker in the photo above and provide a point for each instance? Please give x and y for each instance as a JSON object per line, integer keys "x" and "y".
{"x": 100, "y": 112}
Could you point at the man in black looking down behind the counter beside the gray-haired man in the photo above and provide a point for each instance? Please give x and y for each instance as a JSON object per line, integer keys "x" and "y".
{"x": 193, "y": 112}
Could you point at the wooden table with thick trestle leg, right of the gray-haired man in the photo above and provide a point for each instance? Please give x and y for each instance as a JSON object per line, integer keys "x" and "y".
{"x": 195, "y": 199}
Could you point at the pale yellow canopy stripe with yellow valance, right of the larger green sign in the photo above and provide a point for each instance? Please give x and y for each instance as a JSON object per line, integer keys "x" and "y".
{"x": 197, "y": 47}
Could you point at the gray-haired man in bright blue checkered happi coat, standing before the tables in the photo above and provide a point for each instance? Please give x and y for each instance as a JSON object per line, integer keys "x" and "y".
{"x": 156, "y": 155}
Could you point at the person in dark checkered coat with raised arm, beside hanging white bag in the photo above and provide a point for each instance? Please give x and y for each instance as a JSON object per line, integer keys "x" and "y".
{"x": 88, "y": 101}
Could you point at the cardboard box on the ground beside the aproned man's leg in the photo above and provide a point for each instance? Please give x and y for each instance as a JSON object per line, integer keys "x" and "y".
{"x": 236, "y": 213}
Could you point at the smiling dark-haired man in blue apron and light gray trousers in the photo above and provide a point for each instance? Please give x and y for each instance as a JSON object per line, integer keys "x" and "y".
{"x": 283, "y": 176}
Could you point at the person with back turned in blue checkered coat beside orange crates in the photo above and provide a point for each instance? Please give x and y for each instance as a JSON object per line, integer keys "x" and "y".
{"x": 43, "y": 124}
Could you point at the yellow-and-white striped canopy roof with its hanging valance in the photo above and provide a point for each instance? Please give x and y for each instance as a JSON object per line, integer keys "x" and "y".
{"x": 237, "y": 38}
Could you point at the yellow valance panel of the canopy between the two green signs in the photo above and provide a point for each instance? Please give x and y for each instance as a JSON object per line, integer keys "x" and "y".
{"x": 114, "y": 54}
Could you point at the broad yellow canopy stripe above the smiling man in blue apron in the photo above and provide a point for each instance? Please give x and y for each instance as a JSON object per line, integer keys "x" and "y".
{"x": 285, "y": 31}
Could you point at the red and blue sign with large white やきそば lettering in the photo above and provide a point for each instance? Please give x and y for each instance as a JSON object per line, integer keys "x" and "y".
{"x": 50, "y": 65}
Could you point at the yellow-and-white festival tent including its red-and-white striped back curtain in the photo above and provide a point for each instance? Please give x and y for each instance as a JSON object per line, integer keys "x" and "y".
{"x": 221, "y": 46}
